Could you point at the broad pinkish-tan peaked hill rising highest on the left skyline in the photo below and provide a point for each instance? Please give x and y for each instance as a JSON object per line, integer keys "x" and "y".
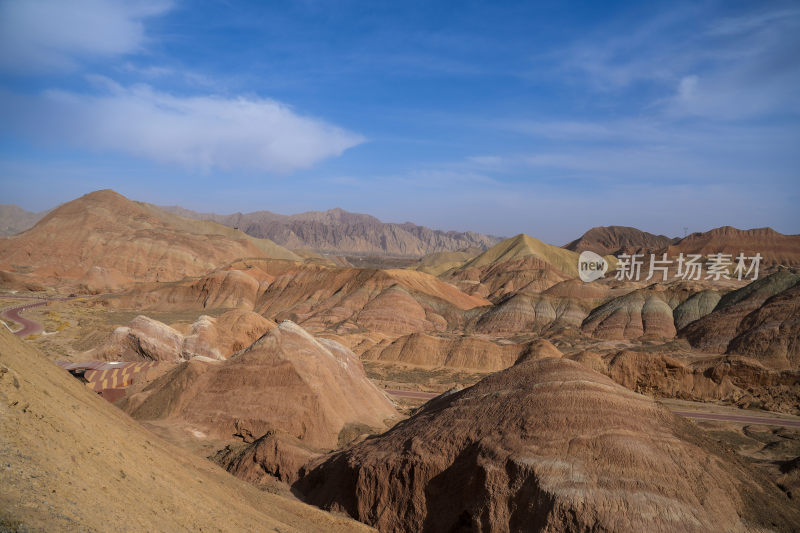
{"x": 105, "y": 229}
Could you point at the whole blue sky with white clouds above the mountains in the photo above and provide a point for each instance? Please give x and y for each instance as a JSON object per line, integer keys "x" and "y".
{"x": 546, "y": 118}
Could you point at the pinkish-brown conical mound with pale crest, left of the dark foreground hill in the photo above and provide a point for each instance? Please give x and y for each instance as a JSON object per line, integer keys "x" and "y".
{"x": 288, "y": 380}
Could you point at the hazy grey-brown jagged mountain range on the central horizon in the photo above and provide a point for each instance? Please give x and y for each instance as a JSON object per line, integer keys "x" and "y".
{"x": 337, "y": 231}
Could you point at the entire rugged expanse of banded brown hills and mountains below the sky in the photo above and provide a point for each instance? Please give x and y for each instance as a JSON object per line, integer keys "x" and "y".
{"x": 167, "y": 370}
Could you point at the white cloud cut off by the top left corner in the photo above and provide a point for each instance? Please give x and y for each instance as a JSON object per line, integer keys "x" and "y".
{"x": 39, "y": 35}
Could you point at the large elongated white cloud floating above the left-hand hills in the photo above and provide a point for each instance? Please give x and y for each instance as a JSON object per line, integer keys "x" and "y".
{"x": 198, "y": 132}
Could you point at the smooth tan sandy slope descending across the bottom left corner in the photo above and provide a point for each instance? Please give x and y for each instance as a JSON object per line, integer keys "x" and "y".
{"x": 69, "y": 461}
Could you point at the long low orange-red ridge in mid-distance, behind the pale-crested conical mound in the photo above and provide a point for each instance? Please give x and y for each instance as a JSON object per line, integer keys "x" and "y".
{"x": 391, "y": 302}
